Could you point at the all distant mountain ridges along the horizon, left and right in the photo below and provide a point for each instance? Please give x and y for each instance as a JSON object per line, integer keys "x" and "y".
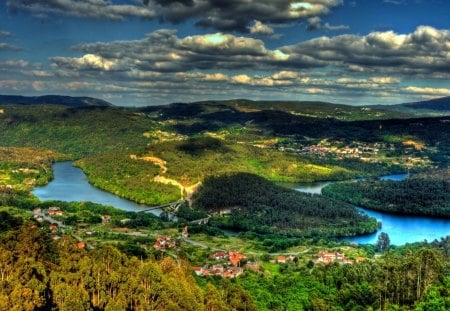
{"x": 433, "y": 107}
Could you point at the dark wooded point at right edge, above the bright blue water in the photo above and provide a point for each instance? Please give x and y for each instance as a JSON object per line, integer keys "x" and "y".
{"x": 426, "y": 194}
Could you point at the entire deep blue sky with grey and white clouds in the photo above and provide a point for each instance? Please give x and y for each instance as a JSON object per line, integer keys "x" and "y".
{"x": 151, "y": 52}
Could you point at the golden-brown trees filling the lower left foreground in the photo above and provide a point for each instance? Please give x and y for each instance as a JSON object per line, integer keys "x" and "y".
{"x": 39, "y": 274}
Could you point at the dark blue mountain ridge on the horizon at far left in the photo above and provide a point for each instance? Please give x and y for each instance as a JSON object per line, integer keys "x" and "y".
{"x": 74, "y": 102}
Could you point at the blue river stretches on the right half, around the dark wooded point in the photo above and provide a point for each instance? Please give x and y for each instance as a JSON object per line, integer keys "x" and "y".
{"x": 401, "y": 229}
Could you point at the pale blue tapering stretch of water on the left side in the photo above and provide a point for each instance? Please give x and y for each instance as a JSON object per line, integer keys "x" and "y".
{"x": 71, "y": 184}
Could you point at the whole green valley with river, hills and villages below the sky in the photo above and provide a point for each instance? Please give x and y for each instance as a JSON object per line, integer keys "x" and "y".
{"x": 234, "y": 163}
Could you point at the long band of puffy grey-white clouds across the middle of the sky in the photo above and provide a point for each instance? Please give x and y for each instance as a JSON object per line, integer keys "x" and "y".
{"x": 426, "y": 51}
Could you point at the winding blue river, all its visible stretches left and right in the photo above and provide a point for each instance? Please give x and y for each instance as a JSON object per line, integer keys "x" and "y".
{"x": 71, "y": 184}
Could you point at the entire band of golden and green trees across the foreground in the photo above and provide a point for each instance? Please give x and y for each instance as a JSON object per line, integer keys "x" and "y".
{"x": 37, "y": 273}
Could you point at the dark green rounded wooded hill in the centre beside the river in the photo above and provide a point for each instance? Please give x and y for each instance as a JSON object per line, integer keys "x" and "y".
{"x": 259, "y": 206}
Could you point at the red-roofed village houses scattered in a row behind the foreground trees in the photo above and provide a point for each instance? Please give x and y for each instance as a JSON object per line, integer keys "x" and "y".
{"x": 220, "y": 263}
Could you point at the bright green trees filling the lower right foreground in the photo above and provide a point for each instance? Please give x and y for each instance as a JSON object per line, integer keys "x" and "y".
{"x": 408, "y": 279}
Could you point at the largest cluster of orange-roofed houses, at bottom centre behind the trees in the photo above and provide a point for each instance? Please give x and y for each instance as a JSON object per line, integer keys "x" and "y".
{"x": 231, "y": 269}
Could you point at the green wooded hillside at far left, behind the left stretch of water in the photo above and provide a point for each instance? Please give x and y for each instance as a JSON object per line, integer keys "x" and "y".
{"x": 73, "y": 131}
